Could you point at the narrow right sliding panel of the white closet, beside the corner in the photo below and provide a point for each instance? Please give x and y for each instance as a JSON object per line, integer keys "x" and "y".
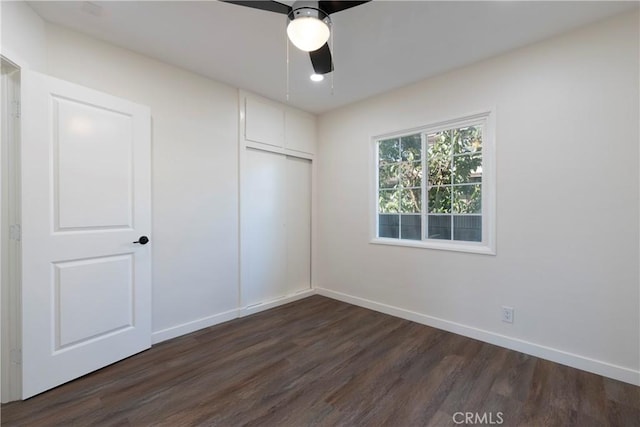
{"x": 298, "y": 188}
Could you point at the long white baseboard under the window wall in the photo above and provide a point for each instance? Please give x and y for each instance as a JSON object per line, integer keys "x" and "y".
{"x": 559, "y": 356}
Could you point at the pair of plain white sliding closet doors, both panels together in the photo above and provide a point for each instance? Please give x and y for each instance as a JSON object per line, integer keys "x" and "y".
{"x": 275, "y": 226}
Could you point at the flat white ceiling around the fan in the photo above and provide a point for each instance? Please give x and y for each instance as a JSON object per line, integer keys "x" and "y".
{"x": 378, "y": 46}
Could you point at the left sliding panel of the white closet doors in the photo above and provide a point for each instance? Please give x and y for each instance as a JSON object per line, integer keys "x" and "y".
{"x": 263, "y": 227}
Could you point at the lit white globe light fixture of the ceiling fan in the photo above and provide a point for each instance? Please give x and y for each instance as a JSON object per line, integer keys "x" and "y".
{"x": 308, "y": 29}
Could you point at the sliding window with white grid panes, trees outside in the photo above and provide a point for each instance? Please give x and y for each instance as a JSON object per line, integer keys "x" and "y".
{"x": 434, "y": 186}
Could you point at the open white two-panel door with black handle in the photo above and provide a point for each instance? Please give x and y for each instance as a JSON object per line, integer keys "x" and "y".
{"x": 86, "y": 286}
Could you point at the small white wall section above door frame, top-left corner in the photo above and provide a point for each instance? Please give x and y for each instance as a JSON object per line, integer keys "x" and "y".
{"x": 22, "y": 35}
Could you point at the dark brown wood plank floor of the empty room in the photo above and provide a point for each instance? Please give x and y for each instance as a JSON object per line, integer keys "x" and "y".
{"x": 322, "y": 362}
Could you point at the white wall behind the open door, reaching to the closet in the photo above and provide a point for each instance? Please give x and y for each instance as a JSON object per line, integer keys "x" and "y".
{"x": 195, "y": 176}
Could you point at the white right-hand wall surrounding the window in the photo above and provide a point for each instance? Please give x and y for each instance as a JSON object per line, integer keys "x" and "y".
{"x": 567, "y": 203}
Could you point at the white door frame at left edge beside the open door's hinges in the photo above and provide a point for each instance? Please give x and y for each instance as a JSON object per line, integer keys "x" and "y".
{"x": 10, "y": 247}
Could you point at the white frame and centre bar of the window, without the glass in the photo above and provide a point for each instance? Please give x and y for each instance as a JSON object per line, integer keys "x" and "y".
{"x": 488, "y": 244}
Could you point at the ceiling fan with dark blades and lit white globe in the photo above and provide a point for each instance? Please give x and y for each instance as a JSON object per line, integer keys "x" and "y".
{"x": 309, "y": 26}
